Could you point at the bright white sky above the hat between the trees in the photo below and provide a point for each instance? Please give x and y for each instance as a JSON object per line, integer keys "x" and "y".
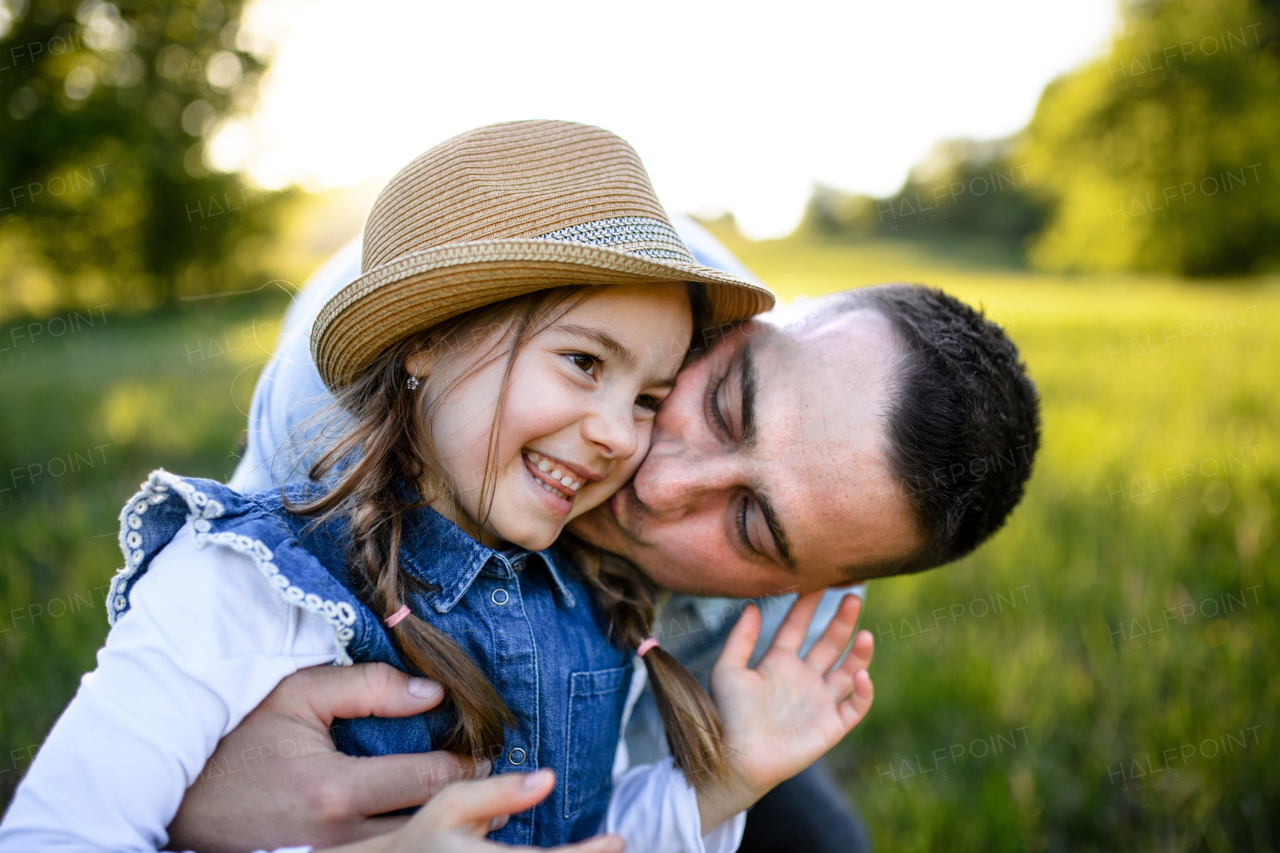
{"x": 733, "y": 107}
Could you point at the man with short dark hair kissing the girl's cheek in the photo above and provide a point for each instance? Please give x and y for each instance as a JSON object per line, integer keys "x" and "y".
{"x": 851, "y": 437}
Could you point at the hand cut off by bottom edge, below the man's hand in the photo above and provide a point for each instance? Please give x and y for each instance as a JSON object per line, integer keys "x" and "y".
{"x": 459, "y": 818}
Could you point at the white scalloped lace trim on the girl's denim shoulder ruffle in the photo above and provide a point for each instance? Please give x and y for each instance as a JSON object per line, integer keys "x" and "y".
{"x": 157, "y": 490}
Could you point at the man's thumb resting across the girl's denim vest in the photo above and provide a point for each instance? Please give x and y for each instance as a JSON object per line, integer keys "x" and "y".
{"x": 350, "y": 692}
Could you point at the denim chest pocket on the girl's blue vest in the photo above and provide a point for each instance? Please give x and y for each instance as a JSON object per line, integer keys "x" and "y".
{"x": 596, "y": 704}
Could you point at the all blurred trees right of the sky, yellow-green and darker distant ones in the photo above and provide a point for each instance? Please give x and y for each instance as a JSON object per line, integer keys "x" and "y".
{"x": 1162, "y": 157}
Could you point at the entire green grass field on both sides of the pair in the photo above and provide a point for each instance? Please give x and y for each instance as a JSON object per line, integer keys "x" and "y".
{"x": 1101, "y": 676}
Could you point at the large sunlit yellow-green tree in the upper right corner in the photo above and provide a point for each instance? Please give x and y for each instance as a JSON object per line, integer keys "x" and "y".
{"x": 1165, "y": 154}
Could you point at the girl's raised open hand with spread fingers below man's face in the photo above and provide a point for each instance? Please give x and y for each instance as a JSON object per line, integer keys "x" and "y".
{"x": 788, "y": 711}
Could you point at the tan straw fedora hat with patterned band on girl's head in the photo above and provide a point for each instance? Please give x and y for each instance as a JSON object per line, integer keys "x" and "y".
{"x": 501, "y": 212}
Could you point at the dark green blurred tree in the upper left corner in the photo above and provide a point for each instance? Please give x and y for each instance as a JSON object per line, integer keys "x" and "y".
{"x": 107, "y": 111}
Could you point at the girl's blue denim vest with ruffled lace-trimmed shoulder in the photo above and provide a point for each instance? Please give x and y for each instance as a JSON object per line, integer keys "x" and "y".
{"x": 529, "y": 622}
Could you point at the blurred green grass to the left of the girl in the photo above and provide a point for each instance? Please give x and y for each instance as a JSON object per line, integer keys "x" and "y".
{"x": 86, "y": 416}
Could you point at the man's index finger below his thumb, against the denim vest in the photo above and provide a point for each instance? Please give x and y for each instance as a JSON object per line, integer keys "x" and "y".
{"x": 387, "y": 783}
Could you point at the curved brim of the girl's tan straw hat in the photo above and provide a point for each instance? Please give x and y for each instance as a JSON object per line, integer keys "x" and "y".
{"x": 418, "y": 291}
